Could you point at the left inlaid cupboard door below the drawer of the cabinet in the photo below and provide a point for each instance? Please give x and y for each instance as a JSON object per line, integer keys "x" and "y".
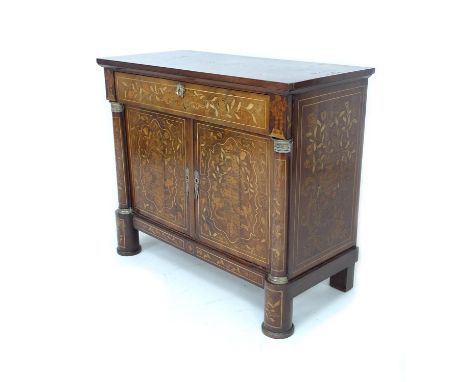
{"x": 160, "y": 167}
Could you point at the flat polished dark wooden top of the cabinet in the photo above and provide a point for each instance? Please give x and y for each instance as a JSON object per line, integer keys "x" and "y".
{"x": 254, "y": 71}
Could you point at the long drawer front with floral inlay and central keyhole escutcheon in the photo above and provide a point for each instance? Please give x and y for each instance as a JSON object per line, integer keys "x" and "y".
{"x": 243, "y": 110}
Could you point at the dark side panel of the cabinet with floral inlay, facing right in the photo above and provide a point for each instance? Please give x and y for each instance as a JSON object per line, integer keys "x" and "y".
{"x": 328, "y": 134}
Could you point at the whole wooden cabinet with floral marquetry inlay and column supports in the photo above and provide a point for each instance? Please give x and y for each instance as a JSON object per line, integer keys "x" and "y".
{"x": 250, "y": 164}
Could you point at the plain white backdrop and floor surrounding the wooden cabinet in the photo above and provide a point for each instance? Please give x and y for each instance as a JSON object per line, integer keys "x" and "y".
{"x": 72, "y": 310}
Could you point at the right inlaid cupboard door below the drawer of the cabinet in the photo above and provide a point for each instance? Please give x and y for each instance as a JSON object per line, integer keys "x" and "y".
{"x": 234, "y": 187}
